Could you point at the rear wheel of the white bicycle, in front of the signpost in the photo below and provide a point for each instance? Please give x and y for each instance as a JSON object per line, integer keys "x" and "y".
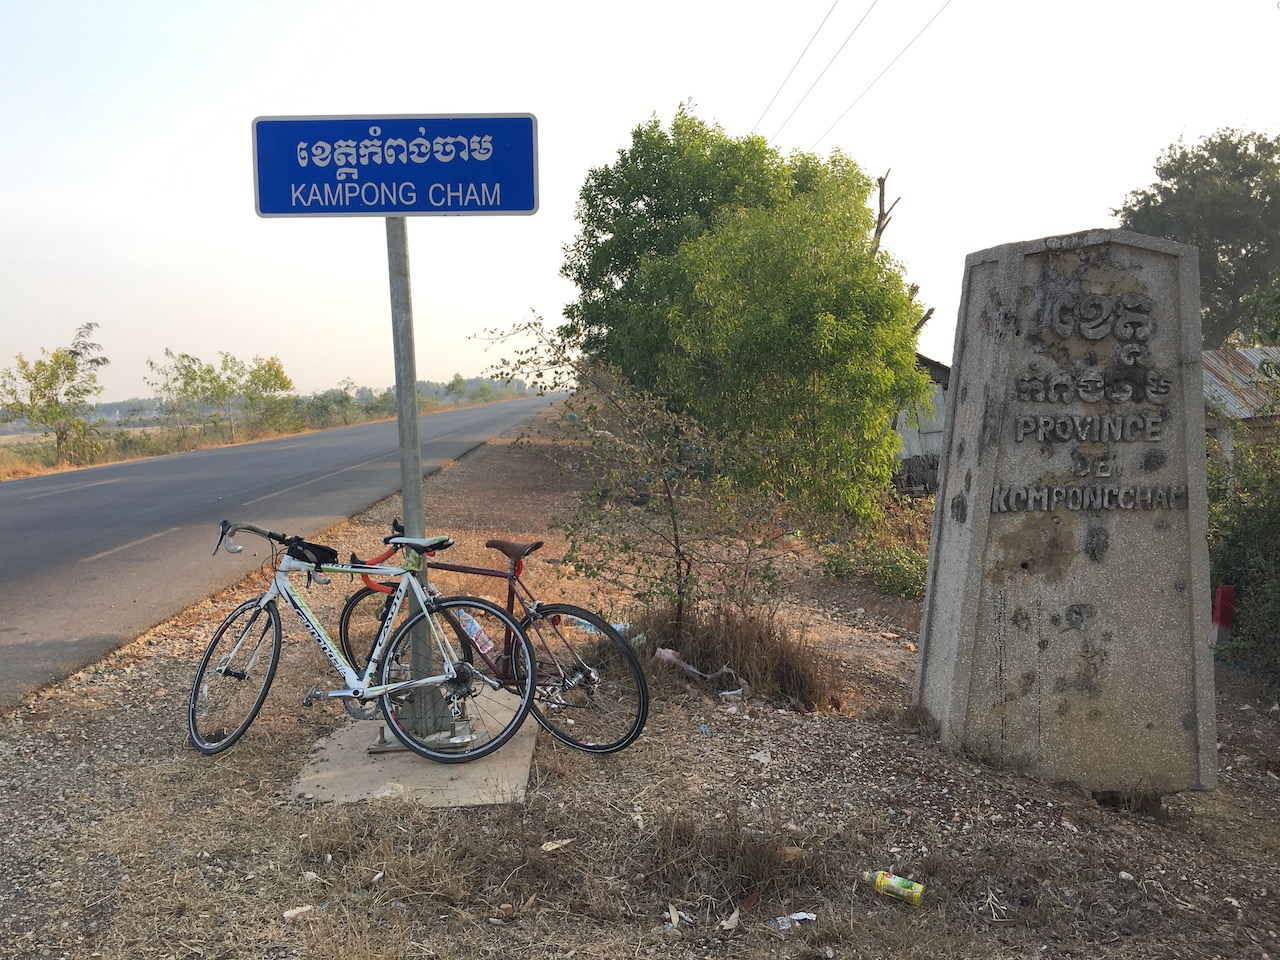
{"x": 474, "y": 714}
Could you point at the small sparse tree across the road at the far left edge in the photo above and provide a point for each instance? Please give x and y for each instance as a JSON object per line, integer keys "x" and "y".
{"x": 54, "y": 394}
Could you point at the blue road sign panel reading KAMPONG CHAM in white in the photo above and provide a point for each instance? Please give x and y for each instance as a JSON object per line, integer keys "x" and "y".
{"x": 469, "y": 164}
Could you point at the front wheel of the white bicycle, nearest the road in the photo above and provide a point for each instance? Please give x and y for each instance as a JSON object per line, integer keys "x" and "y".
{"x": 232, "y": 682}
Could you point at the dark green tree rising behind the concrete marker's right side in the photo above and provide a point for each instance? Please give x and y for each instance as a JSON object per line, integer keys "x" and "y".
{"x": 1223, "y": 196}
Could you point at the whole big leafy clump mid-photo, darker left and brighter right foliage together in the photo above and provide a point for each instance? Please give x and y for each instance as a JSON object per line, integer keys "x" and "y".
{"x": 752, "y": 294}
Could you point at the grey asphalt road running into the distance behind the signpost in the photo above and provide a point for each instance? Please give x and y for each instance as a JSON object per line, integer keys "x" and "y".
{"x": 93, "y": 559}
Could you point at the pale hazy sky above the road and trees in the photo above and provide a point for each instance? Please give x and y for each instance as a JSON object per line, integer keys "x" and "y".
{"x": 127, "y": 195}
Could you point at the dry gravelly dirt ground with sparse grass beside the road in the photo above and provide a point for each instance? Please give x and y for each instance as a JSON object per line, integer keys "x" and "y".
{"x": 121, "y": 842}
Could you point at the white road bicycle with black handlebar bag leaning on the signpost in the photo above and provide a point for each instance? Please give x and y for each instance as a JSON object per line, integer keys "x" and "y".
{"x": 451, "y": 682}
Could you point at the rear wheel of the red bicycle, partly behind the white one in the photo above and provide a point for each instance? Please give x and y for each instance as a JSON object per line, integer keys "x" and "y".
{"x": 591, "y": 692}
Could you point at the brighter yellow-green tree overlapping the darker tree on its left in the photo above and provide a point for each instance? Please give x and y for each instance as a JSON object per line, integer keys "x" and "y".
{"x": 789, "y": 327}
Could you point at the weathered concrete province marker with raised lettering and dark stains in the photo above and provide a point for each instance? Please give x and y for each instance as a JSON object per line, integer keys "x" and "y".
{"x": 1067, "y": 624}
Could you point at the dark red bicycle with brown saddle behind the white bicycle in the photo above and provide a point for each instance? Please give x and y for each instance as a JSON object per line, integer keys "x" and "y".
{"x": 591, "y": 692}
